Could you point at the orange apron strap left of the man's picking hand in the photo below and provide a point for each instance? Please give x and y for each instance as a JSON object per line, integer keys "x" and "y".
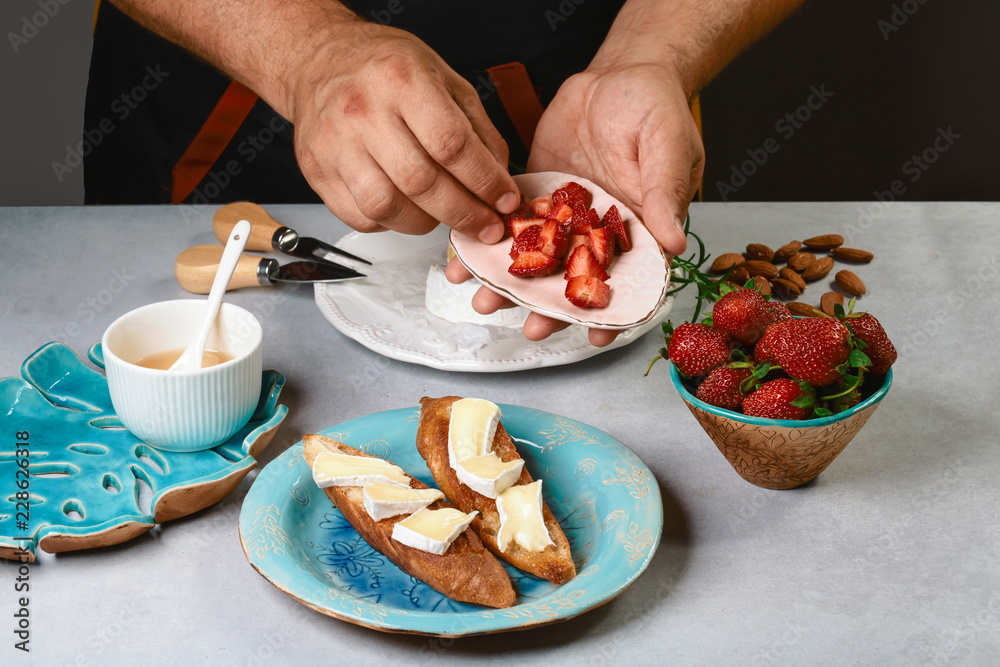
{"x": 213, "y": 137}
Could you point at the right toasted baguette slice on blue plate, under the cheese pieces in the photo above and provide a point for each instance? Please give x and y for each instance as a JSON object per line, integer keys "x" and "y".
{"x": 555, "y": 562}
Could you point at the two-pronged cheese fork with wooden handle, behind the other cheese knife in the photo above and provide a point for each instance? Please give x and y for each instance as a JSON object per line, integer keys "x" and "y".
{"x": 267, "y": 234}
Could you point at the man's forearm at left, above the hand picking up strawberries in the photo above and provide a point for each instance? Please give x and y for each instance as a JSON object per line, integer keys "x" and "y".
{"x": 260, "y": 43}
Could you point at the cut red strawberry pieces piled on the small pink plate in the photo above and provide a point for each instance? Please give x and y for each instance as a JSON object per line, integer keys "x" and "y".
{"x": 561, "y": 229}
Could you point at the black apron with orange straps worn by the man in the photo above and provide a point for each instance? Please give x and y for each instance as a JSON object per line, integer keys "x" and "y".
{"x": 151, "y": 106}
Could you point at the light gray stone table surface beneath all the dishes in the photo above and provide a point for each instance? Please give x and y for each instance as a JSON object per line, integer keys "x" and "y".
{"x": 892, "y": 556}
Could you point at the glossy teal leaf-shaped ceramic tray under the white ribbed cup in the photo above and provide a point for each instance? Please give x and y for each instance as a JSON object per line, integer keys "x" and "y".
{"x": 84, "y": 471}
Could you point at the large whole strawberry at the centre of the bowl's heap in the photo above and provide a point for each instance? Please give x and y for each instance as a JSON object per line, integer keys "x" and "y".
{"x": 810, "y": 349}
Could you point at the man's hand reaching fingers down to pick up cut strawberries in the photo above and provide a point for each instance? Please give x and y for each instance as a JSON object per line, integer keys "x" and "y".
{"x": 391, "y": 137}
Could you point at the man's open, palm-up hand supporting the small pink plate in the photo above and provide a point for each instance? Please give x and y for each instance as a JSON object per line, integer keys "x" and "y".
{"x": 629, "y": 129}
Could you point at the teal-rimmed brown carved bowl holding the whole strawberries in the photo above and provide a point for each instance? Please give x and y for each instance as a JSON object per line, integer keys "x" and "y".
{"x": 779, "y": 453}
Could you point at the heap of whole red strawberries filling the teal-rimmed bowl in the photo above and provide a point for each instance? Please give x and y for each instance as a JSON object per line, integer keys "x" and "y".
{"x": 751, "y": 356}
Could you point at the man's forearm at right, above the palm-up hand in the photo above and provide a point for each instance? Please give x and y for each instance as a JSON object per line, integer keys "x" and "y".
{"x": 698, "y": 37}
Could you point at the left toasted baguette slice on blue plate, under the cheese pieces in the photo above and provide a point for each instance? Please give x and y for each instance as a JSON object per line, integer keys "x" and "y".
{"x": 467, "y": 572}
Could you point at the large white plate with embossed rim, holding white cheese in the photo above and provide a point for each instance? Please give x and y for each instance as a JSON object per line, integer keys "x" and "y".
{"x": 385, "y": 312}
